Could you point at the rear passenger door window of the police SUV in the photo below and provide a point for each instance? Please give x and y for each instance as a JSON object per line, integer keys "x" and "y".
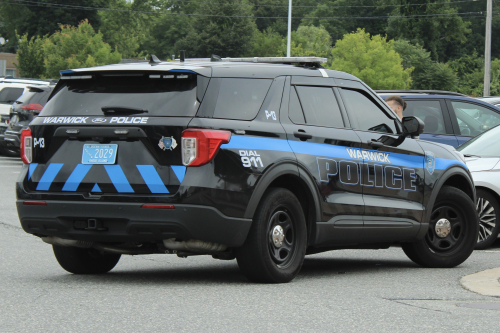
{"x": 317, "y": 107}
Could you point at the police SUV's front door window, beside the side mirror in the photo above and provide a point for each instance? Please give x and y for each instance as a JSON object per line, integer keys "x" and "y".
{"x": 368, "y": 115}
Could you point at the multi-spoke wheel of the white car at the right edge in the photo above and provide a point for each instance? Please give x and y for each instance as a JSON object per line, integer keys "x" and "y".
{"x": 488, "y": 210}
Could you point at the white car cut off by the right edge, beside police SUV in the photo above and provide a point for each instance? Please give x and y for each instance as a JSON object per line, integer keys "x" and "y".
{"x": 482, "y": 155}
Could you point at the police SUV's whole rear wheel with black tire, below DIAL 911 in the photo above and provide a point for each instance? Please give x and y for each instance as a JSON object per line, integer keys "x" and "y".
{"x": 259, "y": 259}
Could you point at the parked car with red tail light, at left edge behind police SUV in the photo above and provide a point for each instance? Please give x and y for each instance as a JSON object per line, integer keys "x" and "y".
{"x": 22, "y": 112}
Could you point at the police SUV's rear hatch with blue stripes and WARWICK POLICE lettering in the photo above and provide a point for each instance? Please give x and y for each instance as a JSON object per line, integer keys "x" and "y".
{"x": 107, "y": 132}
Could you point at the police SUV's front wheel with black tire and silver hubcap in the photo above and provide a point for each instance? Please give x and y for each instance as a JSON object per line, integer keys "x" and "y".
{"x": 457, "y": 208}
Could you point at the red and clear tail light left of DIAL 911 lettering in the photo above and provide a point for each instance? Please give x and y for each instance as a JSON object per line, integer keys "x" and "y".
{"x": 199, "y": 146}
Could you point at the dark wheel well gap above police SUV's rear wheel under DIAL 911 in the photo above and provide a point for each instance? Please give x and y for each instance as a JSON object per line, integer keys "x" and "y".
{"x": 298, "y": 187}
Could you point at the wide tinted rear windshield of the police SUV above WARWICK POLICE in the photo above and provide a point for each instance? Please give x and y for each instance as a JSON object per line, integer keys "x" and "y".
{"x": 160, "y": 95}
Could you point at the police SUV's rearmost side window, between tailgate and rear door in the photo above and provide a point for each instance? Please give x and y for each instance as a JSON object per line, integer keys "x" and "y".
{"x": 241, "y": 98}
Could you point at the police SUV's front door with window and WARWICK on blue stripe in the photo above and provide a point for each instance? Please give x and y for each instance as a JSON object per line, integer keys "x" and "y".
{"x": 391, "y": 170}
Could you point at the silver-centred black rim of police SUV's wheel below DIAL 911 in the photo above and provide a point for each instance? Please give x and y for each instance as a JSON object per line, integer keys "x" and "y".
{"x": 281, "y": 238}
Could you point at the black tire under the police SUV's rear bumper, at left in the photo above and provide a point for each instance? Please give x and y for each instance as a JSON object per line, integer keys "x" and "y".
{"x": 85, "y": 261}
